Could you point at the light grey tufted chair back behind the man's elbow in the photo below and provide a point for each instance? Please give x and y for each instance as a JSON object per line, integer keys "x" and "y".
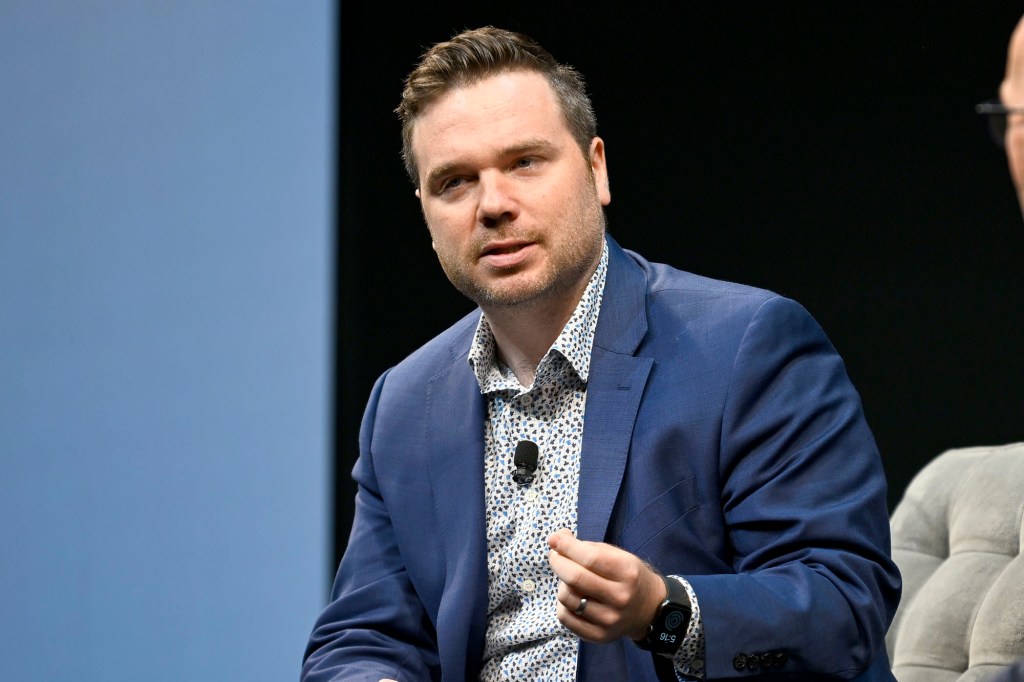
{"x": 958, "y": 536}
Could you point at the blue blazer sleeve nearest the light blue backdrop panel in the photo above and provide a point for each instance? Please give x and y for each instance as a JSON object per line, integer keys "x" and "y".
{"x": 375, "y": 626}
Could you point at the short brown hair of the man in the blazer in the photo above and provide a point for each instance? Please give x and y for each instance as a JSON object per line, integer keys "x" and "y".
{"x": 479, "y": 54}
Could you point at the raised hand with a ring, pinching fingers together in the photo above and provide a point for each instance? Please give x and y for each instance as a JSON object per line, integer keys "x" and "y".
{"x": 622, "y": 591}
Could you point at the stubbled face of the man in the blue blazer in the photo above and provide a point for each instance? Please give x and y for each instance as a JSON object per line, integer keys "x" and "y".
{"x": 514, "y": 207}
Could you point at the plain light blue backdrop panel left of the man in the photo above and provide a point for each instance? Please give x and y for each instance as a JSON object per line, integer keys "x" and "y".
{"x": 165, "y": 337}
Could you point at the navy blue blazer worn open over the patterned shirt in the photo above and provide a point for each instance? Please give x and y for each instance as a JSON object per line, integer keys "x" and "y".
{"x": 723, "y": 442}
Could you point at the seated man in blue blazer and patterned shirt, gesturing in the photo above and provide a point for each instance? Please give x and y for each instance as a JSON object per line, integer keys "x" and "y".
{"x": 613, "y": 471}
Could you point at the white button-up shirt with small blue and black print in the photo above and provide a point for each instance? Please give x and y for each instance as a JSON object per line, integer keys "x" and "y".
{"x": 525, "y": 640}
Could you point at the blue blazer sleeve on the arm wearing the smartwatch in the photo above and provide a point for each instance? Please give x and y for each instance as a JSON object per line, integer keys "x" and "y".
{"x": 805, "y": 507}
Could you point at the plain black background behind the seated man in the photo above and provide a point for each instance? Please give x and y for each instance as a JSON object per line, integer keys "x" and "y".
{"x": 828, "y": 152}
